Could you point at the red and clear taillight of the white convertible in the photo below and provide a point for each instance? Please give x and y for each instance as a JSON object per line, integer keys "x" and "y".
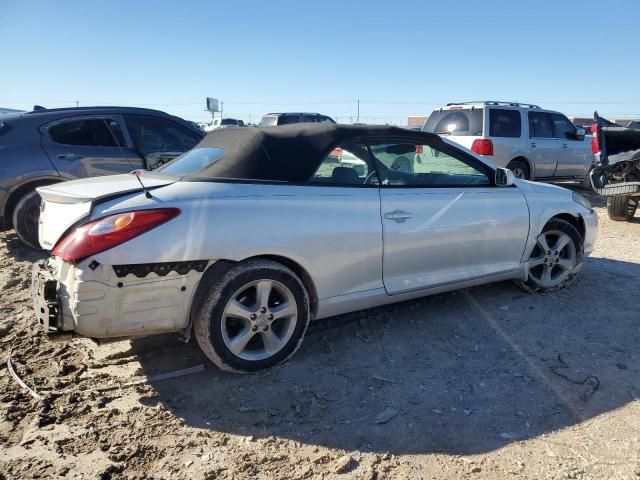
{"x": 107, "y": 232}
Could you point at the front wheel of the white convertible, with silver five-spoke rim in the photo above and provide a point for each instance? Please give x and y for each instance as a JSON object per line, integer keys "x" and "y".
{"x": 556, "y": 259}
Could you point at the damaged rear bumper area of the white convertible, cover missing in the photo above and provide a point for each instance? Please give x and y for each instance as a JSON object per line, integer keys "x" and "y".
{"x": 108, "y": 302}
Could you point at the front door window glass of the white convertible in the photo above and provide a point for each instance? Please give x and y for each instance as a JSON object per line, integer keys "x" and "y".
{"x": 409, "y": 164}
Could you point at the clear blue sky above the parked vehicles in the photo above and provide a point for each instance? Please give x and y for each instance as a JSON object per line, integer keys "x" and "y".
{"x": 398, "y": 57}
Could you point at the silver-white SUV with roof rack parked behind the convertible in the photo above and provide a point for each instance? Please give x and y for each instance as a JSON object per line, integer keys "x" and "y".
{"x": 532, "y": 142}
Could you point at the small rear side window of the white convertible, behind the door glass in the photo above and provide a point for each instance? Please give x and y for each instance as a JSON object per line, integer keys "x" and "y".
{"x": 345, "y": 165}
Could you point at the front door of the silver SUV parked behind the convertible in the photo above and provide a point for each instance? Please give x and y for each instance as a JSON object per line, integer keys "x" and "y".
{"x": 574, "y": 154}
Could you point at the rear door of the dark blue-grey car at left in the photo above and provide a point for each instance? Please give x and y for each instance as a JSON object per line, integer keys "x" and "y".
{"x": 89, "y": 146}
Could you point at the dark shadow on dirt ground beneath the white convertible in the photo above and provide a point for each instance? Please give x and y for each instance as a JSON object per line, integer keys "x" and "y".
{"x": 459, "y": 373}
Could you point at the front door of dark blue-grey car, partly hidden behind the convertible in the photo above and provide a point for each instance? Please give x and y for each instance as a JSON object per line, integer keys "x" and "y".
{"x": 160, "y": 140}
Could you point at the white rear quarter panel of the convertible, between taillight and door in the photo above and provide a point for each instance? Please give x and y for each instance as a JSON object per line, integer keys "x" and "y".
{"x": 334, "y": 233}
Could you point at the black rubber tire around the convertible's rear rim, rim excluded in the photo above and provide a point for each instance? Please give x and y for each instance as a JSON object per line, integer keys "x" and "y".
{"x": 208, "y": 320}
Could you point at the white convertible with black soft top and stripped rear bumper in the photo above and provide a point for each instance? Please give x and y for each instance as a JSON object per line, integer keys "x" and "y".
{"x": 255, "y": 232}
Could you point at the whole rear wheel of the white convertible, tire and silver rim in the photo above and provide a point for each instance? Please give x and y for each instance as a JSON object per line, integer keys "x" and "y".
{"x": 252, "y": 317}
